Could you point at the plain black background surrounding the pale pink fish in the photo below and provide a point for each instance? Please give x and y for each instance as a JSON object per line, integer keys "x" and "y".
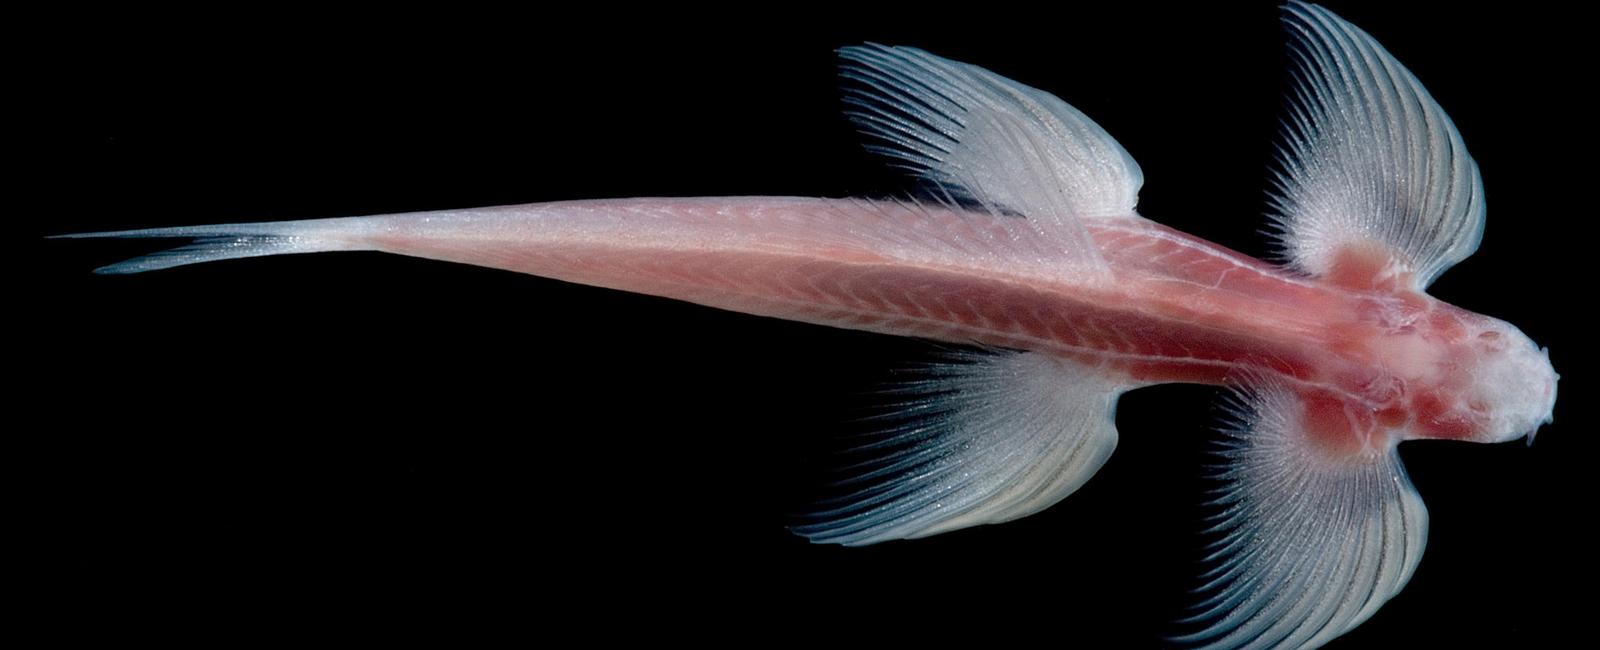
{"x": 364, "y": 444}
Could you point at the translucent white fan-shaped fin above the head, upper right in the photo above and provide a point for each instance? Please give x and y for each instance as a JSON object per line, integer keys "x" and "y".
{"x": 1369, "y": 159}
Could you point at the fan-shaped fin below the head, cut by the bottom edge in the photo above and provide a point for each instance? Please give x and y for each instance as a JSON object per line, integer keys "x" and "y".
{"x": 1313, "y": 539}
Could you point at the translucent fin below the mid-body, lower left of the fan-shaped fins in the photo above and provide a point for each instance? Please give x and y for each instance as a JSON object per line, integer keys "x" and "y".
{"x": 985, "y": 439}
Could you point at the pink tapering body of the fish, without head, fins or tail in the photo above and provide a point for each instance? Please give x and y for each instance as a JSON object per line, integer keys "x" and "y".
{"x": 1174, "y": 308}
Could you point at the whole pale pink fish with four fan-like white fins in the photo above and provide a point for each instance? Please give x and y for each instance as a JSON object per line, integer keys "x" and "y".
{"x": 1030, "y": 225}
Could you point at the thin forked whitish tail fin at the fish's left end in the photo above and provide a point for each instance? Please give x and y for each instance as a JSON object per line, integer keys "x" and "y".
{"x": 233, "y": 243}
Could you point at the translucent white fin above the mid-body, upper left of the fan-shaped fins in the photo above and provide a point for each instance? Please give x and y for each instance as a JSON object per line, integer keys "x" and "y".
{"x": 986, "y": 140}
